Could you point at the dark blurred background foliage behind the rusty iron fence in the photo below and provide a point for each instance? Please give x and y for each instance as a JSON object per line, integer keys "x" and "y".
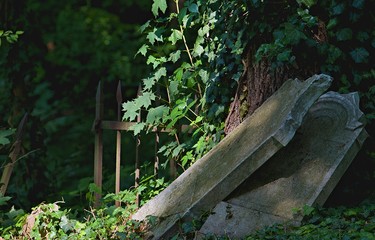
{"x": 52, "y": 74}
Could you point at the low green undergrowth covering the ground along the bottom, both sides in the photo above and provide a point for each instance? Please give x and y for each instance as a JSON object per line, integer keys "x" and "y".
{"x": 51, "y": 221}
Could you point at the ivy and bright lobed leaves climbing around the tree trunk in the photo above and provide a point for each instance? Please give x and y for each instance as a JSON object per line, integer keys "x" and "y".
{"x": 196, "y": 55}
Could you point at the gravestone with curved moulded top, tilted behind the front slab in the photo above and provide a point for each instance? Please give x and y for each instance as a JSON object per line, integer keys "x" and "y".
{"x": 303, "y": 173}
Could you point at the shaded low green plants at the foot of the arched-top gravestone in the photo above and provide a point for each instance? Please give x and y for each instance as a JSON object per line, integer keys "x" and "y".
{"x": 333, "y": 223}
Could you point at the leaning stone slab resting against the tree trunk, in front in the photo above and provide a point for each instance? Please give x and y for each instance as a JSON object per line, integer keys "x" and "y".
{"x": 236, "y": 157}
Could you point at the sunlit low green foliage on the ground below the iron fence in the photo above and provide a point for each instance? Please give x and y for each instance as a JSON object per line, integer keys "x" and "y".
{"x": 49, "y": 221}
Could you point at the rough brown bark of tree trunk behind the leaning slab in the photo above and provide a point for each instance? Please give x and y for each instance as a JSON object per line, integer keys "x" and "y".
{"x": 259, "y": 81}
